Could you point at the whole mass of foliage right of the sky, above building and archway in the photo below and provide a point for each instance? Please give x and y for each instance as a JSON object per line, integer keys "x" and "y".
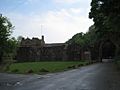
{"x": 106, "y": 17}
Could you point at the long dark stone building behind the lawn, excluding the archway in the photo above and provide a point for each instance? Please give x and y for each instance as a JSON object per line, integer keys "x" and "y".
{"x": 37, "y": 50}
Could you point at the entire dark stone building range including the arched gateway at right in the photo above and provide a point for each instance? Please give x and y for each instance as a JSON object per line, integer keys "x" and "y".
{"x": 37, "y": 50}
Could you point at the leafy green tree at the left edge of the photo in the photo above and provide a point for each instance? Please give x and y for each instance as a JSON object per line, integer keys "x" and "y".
{"x": 5, "y": 31}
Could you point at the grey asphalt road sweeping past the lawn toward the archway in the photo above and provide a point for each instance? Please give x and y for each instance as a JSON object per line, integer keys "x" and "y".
{"x": 102, "y": 76}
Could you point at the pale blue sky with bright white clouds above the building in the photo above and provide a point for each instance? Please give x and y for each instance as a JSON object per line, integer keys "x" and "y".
{"x": 57, "y": 20}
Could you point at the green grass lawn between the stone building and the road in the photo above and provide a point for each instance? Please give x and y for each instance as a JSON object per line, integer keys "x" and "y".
{"x": 44, "y": 67}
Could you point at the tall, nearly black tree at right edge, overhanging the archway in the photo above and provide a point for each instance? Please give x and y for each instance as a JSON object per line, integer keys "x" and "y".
{"x": 106, "y": 17}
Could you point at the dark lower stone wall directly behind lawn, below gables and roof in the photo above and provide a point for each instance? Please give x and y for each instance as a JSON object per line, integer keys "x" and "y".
{"x": 41, "y": 54}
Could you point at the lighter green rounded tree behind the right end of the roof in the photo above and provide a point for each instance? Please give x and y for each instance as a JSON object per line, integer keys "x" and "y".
{"x": 85, "y": 40}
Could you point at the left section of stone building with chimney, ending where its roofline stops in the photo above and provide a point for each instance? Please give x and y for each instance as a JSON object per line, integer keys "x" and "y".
{"x": 36, "y": 50}
